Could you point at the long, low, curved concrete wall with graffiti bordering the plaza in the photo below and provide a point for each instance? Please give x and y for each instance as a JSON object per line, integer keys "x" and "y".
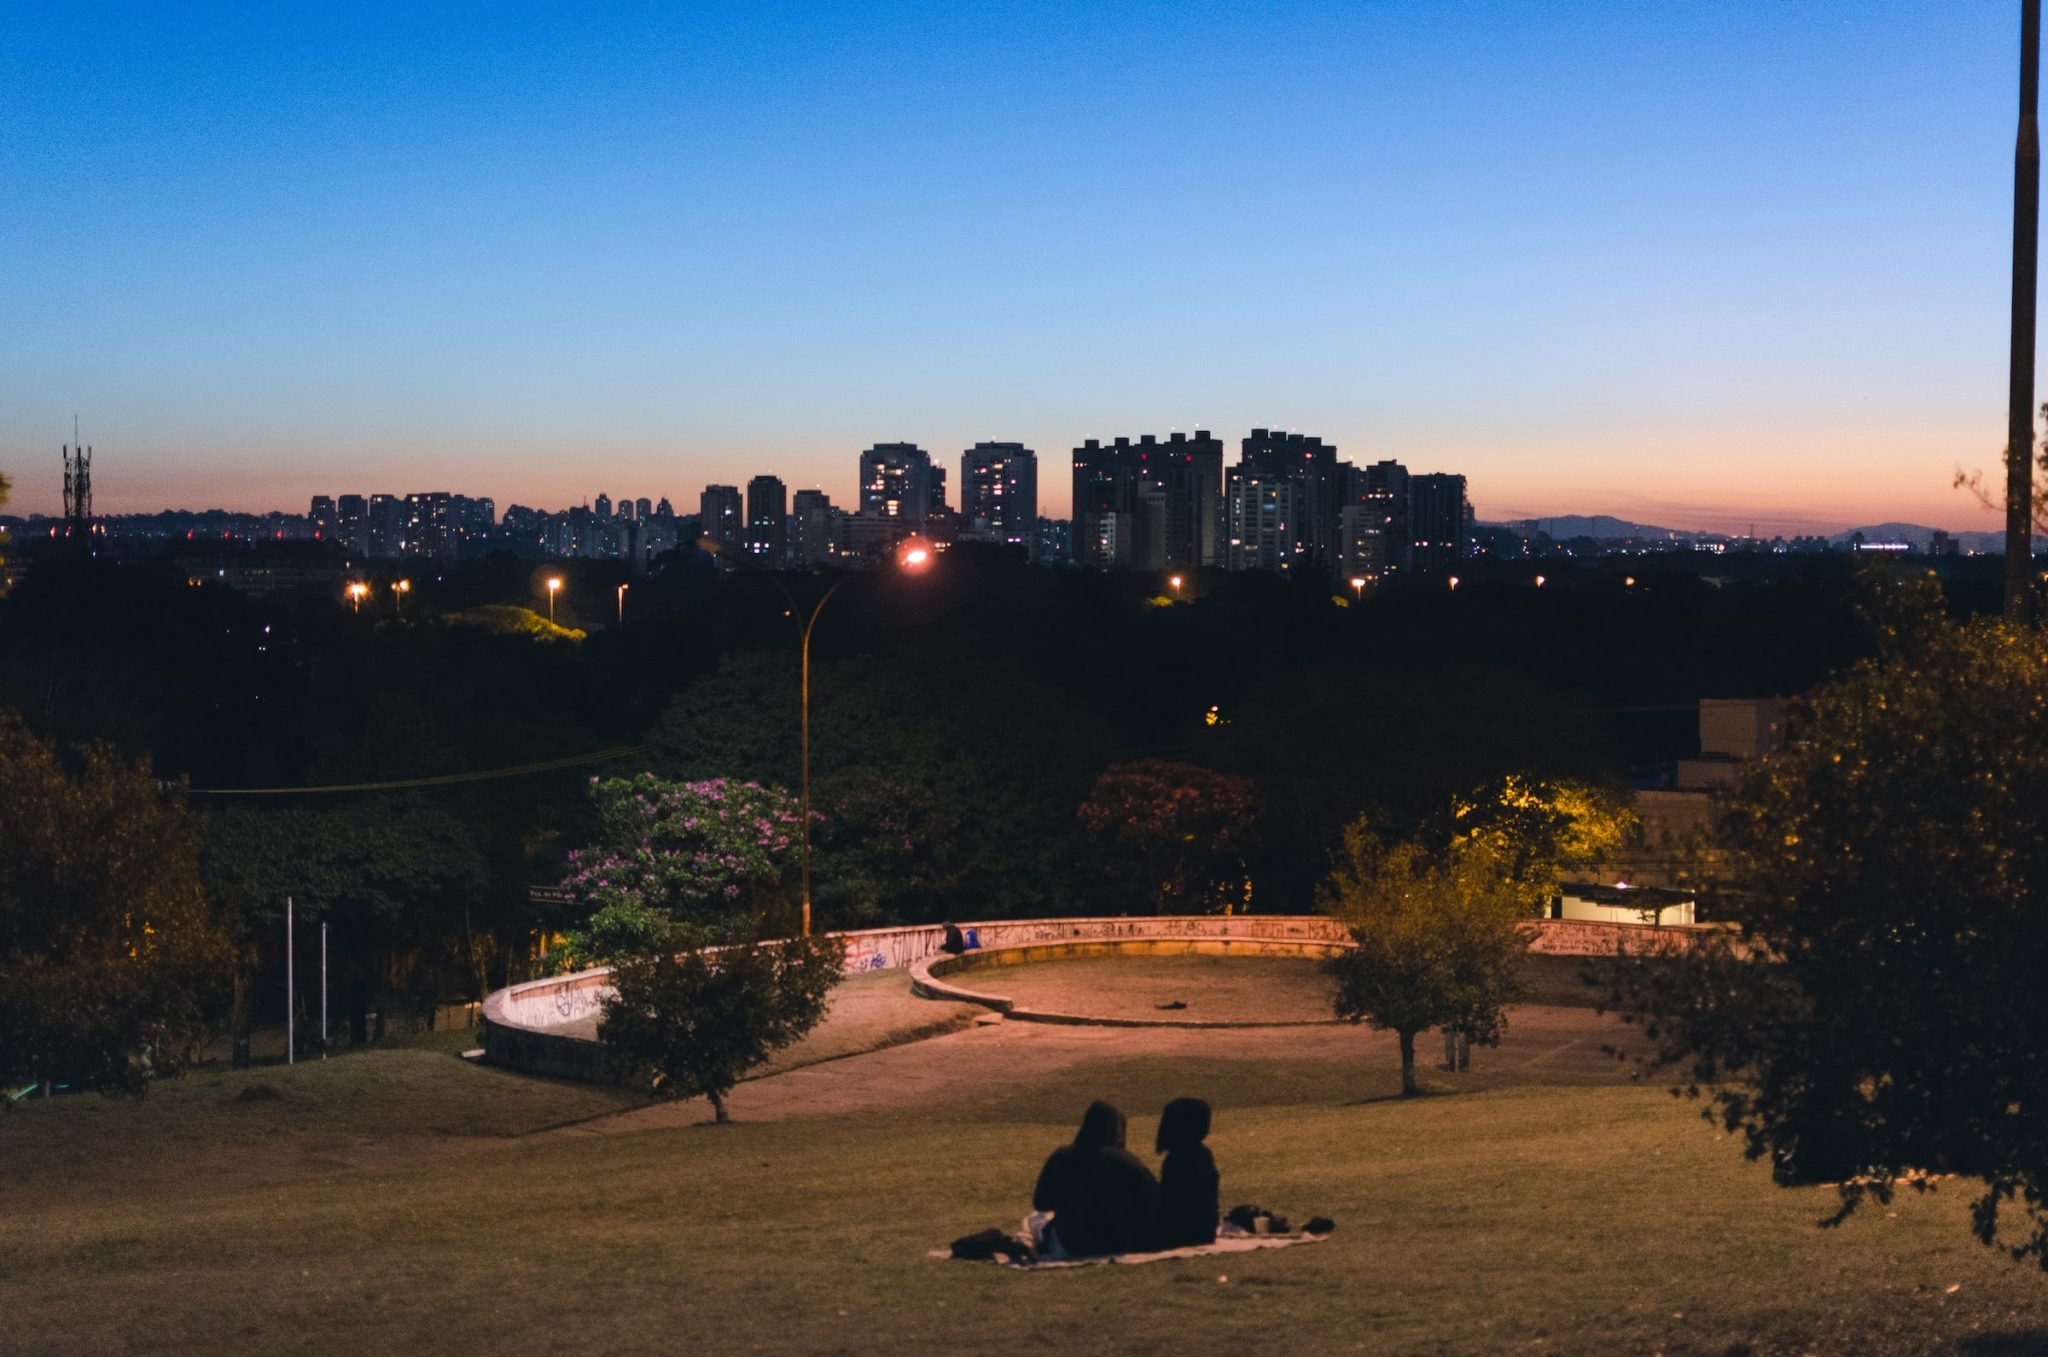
{"x": 521, "y": 1024}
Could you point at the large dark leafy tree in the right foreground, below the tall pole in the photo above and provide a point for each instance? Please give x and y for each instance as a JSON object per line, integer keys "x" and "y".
{"x": 1879, "y": 1012}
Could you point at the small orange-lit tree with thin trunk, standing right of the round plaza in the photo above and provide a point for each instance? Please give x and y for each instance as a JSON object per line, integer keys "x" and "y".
{"x": 1435, "y": 940}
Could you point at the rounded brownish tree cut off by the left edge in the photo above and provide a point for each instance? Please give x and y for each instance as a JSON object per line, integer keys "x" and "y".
{"x": 110, "y": 955}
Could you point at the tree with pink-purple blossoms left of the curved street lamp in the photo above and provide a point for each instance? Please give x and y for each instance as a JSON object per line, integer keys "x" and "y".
{"x": 679, "y": 863}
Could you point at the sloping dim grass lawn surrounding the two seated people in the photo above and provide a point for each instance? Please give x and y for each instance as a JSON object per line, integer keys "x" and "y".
{"x": 1512, "y": 1219}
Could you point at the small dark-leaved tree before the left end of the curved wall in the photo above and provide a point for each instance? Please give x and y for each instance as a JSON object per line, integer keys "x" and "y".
{"x": 695, "y": 1020}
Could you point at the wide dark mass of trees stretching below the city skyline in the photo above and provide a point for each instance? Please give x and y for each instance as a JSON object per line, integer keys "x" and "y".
{"x": 959, "y": 726}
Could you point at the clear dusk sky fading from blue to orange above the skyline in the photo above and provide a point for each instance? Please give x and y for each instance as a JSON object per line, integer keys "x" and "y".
{"x": 1693, "y": 265}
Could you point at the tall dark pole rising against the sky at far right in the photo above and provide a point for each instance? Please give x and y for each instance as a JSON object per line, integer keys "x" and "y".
{"x": 2020, "y": 396}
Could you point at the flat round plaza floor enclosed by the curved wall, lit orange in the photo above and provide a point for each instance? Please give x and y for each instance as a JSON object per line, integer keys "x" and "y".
{"x": 1226, "y": 990}
